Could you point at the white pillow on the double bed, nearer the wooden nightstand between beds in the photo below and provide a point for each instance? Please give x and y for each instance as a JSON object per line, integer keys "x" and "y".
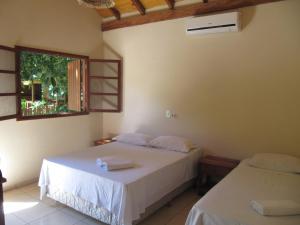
{"x": 172, "y": 143}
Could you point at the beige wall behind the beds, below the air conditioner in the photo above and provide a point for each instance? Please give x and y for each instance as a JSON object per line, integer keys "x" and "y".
{"x": 234, "y": 93}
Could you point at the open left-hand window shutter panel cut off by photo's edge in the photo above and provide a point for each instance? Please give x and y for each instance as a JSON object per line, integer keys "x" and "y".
{"x": 7, "y": 83}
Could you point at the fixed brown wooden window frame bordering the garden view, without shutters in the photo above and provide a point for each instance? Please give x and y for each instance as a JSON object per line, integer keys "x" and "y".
{"x": 20, "y": 117}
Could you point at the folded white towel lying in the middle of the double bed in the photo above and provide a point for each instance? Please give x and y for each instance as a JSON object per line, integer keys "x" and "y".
{"x": 112, "y": 163}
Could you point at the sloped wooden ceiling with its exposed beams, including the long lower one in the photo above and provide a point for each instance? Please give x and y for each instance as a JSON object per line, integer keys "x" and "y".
{"x": 137, "y": 12}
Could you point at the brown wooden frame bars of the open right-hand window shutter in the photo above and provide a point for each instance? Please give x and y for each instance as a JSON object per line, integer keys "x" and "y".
{"x": 120, "y": 87}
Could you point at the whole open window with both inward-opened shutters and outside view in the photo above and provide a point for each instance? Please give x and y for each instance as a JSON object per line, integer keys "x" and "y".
{"x": 37, "y": 84}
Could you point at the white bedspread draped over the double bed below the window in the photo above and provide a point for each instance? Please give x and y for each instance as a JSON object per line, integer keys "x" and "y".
{"x": 125, "y": 193}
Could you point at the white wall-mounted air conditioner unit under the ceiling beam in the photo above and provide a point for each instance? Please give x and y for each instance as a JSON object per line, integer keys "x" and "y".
{"x": 226, "y": 22}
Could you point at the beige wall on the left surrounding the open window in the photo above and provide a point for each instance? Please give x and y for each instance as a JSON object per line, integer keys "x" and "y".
{"x": 54, "y": 25}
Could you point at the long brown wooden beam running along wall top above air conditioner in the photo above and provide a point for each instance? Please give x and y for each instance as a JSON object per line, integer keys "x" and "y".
{"x": 183, "y": 11}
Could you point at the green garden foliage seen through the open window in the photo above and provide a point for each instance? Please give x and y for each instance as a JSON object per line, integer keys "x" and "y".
{"x": 51, "y": 72}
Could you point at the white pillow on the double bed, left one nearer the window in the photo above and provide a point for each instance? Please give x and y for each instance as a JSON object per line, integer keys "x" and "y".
{"x": 134, "y": 138}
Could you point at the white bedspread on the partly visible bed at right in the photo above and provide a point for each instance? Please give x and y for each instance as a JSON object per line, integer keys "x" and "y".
{"x": 228, "y": 203}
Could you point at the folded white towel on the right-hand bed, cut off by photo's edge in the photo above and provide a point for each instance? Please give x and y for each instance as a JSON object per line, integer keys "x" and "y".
{"x": 276, "y": 207}
